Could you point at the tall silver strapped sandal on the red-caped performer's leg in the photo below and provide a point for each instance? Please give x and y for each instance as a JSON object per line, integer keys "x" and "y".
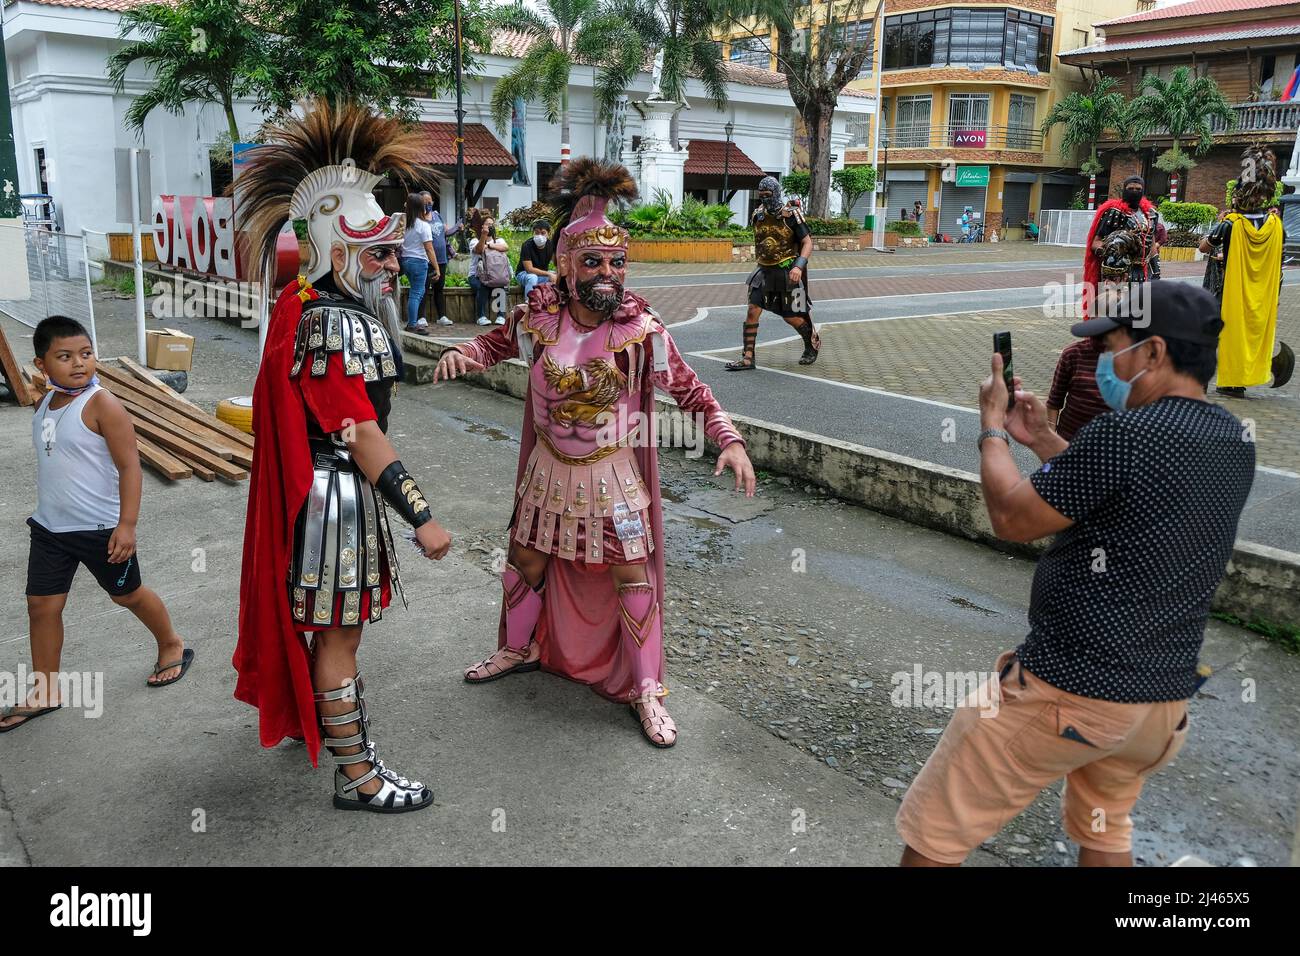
{"x": 396, "y": 794}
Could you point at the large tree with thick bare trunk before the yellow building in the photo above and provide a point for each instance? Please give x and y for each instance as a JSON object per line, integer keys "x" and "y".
{"x": 821, "y": 49}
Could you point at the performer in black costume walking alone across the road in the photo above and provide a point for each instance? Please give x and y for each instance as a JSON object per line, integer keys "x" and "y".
{"x": 781, "y": 284}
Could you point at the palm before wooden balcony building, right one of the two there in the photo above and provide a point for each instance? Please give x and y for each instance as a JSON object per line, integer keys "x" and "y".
{"x": 1182, "y": 109}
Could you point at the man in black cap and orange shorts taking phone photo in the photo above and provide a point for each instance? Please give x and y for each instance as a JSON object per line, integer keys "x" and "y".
{"x": 1145, "y": 504}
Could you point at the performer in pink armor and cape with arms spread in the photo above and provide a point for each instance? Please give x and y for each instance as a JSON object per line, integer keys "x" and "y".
{"x": 584, "y": 581}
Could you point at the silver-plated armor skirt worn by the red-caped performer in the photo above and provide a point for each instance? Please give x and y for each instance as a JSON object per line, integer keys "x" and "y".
{"x": 343, "y": 553}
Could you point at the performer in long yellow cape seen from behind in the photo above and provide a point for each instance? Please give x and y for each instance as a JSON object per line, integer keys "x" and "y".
{"x": 1249, "y": 246}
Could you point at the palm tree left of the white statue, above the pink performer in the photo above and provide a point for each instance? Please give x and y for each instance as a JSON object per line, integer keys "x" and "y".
{"x": 566, "y": 33}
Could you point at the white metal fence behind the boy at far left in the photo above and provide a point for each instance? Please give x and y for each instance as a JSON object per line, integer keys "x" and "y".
{"x": 45, "y": 272}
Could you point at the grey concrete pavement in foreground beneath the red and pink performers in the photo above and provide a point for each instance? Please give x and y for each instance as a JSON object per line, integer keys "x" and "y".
{"x": 781, "y": 677}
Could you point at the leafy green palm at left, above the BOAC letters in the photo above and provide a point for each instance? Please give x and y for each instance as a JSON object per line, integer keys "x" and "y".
{"x": 197, "y": 51}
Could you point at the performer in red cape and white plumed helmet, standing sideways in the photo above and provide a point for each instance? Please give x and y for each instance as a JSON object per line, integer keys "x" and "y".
{"x": 319, "y": 560}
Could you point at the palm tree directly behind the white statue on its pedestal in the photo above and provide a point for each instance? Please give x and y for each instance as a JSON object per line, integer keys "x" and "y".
{"x": 683, "y": 31}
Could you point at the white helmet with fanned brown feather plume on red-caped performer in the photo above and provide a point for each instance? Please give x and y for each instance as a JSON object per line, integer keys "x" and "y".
{"x": 323, "y": 167}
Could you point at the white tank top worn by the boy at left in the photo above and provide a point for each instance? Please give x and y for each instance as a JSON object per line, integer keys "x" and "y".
{"x": 76, "y": 477}
